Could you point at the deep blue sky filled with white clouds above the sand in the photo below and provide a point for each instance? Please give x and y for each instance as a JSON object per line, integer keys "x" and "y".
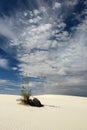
{"x": 45, "y": 39}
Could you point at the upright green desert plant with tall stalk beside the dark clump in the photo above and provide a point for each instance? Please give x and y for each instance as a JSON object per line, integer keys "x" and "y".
{"x": 26, "y": 91}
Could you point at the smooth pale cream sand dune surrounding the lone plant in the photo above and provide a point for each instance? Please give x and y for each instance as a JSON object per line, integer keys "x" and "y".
{"x": 60, "y": 113}
